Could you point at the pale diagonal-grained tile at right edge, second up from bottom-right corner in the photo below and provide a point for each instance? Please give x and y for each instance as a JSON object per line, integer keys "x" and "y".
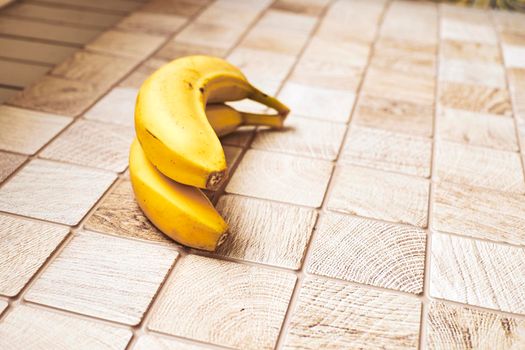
{"x": 477, "y": 273}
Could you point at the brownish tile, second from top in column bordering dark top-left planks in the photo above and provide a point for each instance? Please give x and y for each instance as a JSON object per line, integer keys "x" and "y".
{"x": 151, "y": 23}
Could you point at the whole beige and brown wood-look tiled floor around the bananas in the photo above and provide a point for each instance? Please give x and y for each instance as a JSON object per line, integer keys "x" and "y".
{"x": 390, "y": 213}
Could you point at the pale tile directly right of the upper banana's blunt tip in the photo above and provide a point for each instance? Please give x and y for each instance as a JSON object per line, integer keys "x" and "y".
{"x": 281, "y": 177}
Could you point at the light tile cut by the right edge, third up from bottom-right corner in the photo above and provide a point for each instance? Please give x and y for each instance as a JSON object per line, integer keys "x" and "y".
{"x": 479, "y": 213}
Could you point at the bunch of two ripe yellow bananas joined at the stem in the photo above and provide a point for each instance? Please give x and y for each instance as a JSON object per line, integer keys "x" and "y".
{"x": 179, "y": 116}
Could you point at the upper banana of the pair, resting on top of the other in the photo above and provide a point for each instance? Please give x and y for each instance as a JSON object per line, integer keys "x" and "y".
{"x": 171, "y": 122}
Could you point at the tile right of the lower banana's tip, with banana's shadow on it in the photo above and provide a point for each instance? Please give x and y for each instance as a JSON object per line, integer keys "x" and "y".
{"x": 265, "y": 232}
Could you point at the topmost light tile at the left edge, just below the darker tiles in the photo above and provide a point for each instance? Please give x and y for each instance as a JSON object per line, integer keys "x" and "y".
{"x": 26, "y": 131}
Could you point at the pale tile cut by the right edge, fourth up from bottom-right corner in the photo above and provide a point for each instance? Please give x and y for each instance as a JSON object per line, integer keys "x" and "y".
{"x": 479, "y": 166}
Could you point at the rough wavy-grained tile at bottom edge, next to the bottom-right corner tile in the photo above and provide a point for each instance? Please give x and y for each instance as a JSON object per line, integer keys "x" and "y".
{"x": 335, "y": 315}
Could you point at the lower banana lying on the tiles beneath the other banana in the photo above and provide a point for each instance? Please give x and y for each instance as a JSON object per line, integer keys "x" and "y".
{"x": 182, "y": 212}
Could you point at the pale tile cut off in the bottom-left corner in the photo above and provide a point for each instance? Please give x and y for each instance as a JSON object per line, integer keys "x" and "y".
{"x": 31, "y": 327}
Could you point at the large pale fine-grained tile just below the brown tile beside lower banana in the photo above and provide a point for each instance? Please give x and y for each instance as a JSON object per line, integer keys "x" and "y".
{"x": 104, "y": 276}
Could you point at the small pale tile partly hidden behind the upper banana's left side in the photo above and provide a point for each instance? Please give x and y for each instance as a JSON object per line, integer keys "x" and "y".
{"x": 117, "y": 107}
